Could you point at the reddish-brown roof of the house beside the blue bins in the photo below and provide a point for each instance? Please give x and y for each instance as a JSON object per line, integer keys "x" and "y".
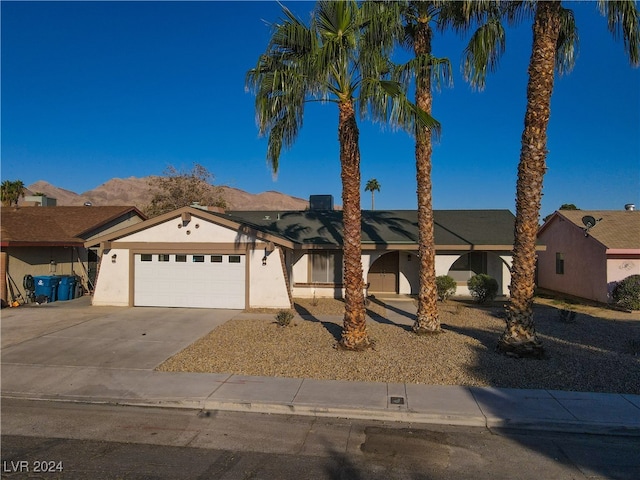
{"x": 64, "y": 226}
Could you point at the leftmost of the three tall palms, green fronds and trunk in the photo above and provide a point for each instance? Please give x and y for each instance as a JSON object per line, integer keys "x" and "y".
{"x": 328, "y": 62}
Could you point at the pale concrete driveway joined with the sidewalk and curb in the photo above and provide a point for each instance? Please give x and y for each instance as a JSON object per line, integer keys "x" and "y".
{"x": 83, "y": 356}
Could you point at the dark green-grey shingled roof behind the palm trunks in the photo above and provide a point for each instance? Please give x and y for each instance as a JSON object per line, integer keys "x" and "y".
{"x": 453, "y": 228}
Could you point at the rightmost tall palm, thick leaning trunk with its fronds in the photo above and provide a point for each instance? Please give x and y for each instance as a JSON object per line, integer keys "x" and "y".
{"x": 554, "y": 45}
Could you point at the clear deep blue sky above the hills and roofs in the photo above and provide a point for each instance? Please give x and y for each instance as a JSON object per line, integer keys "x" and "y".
{"x": 97, "y": 90}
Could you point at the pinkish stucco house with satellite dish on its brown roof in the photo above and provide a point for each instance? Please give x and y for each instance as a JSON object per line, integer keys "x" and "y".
{"x": 588, "y": 261}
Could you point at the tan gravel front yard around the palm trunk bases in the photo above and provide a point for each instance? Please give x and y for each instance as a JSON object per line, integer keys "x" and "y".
{"x": 598, "y": 350}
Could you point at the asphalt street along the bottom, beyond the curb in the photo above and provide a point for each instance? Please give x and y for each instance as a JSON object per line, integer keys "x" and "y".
{"x": 81, "y": 441}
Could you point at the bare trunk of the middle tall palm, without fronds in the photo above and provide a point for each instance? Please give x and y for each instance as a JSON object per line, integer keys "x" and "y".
{"x": 427, "y": 320}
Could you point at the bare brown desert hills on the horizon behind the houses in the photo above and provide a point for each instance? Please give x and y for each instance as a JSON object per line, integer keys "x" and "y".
{"x": 135, "y": 191}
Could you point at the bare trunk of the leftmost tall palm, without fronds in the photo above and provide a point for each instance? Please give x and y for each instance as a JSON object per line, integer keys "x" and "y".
{"x": 354, "y": 331}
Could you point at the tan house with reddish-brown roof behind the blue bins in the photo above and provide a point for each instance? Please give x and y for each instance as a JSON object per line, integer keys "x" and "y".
{"x": 50, "y": 241}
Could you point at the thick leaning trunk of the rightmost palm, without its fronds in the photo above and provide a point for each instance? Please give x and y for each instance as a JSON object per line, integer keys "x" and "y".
{"x": 520, "y": 337}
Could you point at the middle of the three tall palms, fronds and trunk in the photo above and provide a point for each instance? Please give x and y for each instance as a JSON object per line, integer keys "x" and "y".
{"x": 410, "y": 24}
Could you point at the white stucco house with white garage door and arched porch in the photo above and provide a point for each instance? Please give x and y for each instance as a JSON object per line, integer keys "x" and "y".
{"x": 197, "y": 258}
